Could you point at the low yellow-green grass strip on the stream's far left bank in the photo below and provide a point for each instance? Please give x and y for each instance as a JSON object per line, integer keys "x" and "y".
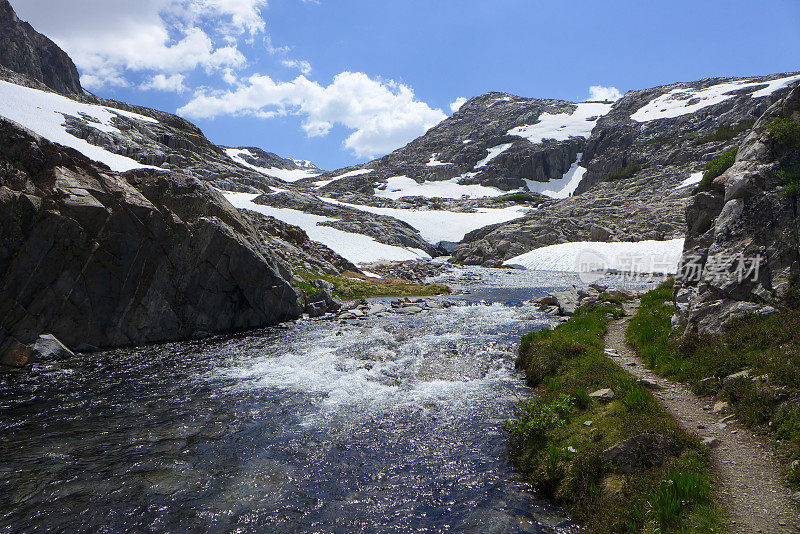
{"x": 351, "y": 286}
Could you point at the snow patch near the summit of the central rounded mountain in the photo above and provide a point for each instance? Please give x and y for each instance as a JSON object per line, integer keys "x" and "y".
{"x": 562, "y": 126}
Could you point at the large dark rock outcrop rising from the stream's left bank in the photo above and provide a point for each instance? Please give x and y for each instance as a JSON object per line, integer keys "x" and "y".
{"x": 104, "y": 259}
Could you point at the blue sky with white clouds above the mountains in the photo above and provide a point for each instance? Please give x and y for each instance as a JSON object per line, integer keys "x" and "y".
{"x": 340, "y": 82}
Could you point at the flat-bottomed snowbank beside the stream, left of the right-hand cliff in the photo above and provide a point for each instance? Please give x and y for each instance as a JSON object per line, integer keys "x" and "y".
{"x": 586, "y": 256}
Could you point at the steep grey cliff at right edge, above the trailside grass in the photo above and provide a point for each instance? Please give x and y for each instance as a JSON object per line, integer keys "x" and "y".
{"x": 742, "y": 253}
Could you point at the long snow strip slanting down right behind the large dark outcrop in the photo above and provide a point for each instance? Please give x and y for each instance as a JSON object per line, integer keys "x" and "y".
{"x": 357, "y": 248}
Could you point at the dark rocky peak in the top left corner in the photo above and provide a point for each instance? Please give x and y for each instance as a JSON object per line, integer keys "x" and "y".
{"x": 24, "y": 50}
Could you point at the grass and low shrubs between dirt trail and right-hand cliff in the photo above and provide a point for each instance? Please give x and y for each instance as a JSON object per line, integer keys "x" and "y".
{"x": 768, "y": 347}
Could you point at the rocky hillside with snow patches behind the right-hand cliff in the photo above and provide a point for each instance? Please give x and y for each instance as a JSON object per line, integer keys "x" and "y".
{"x": 641, "y": 162}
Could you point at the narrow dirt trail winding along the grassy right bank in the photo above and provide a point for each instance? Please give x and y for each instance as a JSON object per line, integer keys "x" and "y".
{"x": 749, "y": 483}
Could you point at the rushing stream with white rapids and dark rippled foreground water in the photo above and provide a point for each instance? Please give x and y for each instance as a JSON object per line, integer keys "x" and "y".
{"x": 392, "y": 424}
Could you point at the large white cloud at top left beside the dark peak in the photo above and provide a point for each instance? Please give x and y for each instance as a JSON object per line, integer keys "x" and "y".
{"x": 107, "y": 38}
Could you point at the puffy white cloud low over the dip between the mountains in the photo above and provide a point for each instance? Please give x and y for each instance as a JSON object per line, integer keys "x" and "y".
{"x": 383, "y": 115}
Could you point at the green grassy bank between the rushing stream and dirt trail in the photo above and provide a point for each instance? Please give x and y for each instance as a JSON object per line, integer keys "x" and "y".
{"x": 564, "y": 365}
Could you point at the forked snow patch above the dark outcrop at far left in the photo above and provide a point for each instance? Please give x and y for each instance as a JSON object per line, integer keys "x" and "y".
{"x": 43, "y": 113}
